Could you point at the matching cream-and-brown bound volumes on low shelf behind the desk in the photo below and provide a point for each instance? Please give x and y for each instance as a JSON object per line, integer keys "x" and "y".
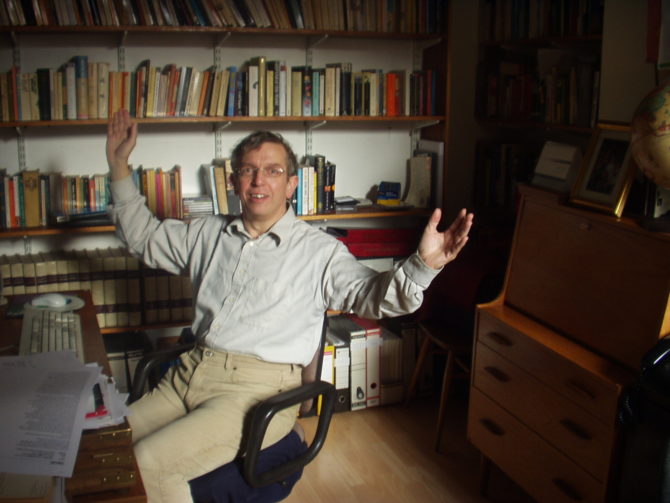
{"x": 125, "y": 293}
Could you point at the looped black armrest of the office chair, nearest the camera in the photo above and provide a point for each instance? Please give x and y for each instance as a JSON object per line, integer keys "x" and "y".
{"x": 260, "y": 419}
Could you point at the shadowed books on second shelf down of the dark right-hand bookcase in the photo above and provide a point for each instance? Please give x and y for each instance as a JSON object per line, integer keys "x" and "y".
{"x": 557, "y": 92}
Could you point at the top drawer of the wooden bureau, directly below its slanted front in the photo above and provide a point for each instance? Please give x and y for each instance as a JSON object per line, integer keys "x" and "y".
{"x": 557, "y": 370}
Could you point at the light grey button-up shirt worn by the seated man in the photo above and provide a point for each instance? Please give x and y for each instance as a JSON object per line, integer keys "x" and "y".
{"x": 267, "y": 296}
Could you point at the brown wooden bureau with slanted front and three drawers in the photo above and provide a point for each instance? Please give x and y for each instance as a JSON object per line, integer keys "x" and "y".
{"x": 585, "y": 296}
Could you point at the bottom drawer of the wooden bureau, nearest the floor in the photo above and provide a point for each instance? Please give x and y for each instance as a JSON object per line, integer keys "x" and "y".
{"x": 544, "y": 472}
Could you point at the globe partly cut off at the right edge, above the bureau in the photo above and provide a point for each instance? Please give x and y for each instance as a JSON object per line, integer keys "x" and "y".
{"x": 650, "y": 135}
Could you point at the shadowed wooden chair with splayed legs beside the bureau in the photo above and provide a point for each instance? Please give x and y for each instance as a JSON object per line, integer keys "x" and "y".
{"x": 445, "y": 320}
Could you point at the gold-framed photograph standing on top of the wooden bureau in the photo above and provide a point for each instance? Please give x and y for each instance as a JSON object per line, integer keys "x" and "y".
{"x": 606, "y": 172}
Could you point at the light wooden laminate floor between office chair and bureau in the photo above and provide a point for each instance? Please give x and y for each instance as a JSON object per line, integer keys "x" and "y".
{"x": 386, "y": 454}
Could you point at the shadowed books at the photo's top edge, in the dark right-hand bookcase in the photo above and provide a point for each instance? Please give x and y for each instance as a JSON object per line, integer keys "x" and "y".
{"x": 503, "y": 20}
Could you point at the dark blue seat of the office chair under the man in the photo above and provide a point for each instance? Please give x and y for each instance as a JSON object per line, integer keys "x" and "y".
{"x": 226, "y": 484}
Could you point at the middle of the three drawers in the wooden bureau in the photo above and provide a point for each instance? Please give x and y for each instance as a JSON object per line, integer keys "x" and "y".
{"x": 566, "y": 426}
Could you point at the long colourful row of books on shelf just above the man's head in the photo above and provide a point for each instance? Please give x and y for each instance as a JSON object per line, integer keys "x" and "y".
{"x": 83, "y": 89}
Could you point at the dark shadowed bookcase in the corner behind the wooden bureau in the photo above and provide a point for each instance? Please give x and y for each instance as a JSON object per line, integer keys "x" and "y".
{"x": 538, "y": 79}
